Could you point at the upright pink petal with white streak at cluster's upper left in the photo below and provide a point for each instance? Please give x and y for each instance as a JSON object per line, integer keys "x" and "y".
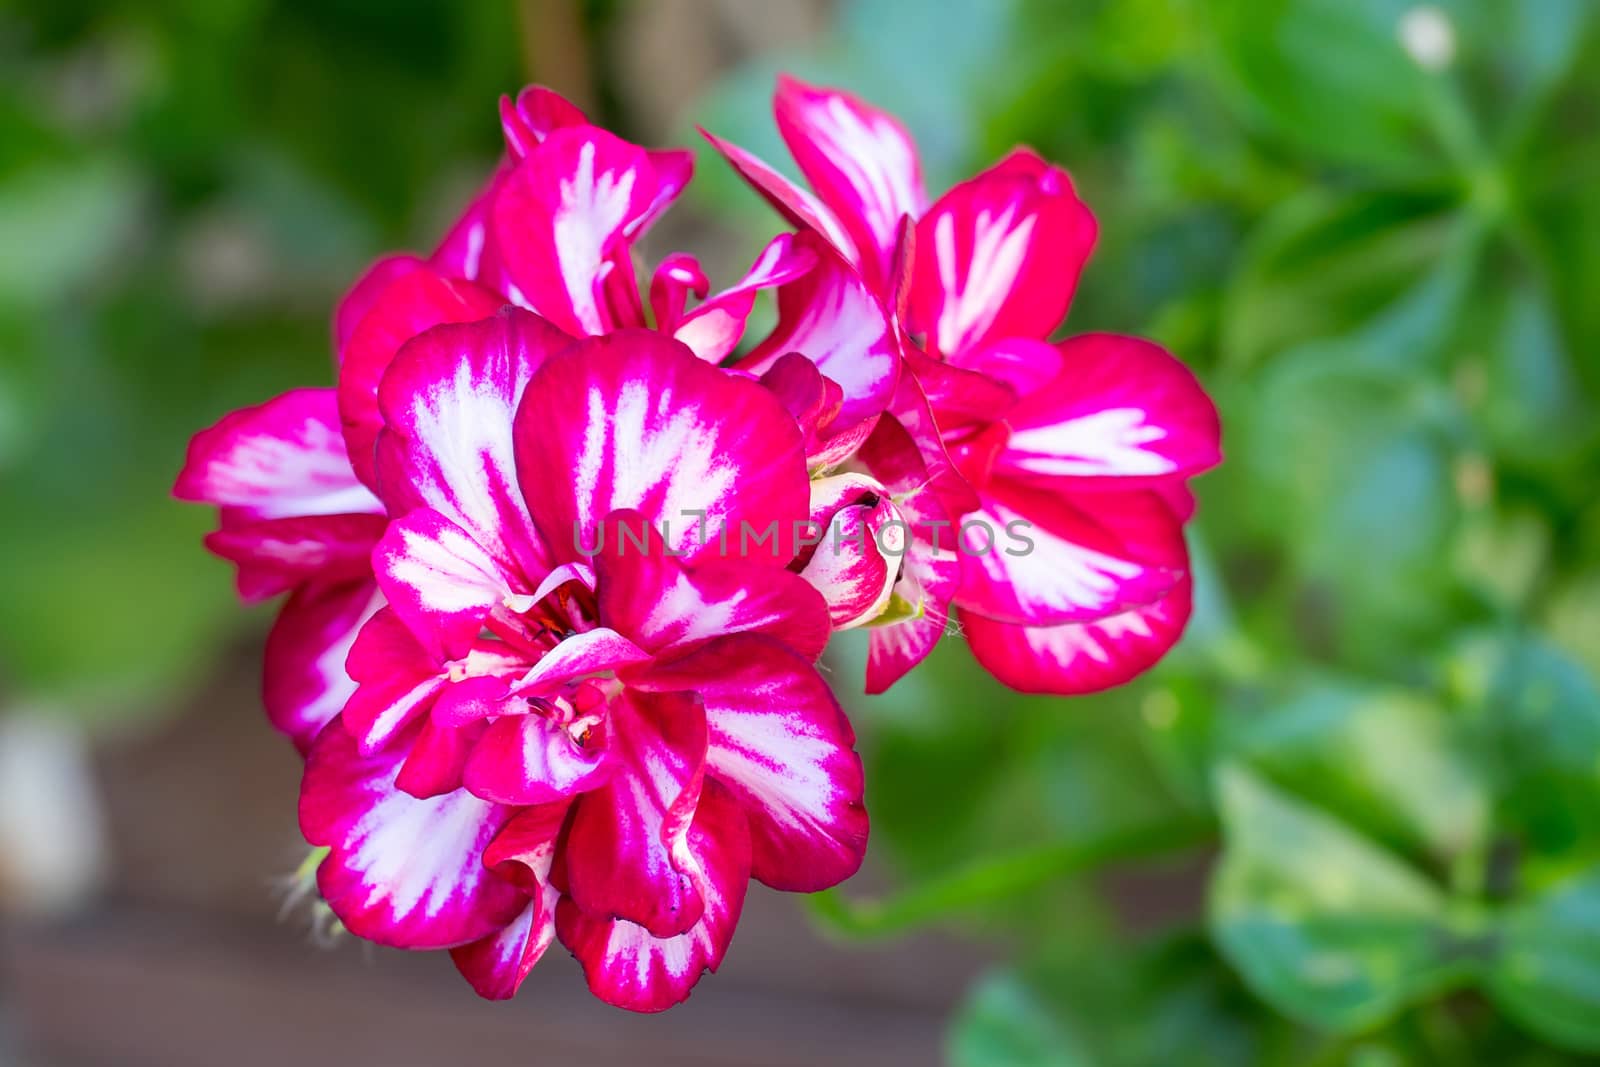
{"x": 562, "y": 214}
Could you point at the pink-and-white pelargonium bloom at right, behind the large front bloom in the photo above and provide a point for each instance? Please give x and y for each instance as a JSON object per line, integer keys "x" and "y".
{"x": 1074, "y": 573}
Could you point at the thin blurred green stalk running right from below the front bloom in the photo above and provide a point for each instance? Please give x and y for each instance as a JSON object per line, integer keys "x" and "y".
{"x": 1002, "y": 877}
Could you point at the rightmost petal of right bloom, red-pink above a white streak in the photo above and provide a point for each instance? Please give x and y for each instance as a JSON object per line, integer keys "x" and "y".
{"x": 1122, "y": 410}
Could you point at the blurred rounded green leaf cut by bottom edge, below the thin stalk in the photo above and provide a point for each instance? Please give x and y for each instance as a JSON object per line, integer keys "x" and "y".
{"x": 1006, "y": 1025}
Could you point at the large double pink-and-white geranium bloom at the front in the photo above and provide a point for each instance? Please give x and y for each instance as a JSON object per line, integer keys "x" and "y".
{"x": 590, "y": 711}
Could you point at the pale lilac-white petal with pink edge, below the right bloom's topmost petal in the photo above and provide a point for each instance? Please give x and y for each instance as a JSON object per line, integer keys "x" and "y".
{"x": 833, "y": 319}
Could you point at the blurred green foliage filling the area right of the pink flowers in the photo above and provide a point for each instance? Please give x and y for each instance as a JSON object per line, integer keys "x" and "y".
{"x": 1374, "y": 228}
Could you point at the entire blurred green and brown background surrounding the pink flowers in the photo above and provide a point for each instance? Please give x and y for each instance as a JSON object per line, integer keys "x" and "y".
{"x": 1354, "y": 820}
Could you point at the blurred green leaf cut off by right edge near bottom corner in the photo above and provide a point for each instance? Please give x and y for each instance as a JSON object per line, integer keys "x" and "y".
{"x": 1548, "y": 977}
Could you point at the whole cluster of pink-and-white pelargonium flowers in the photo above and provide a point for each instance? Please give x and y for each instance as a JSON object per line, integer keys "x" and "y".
{"x": 561, "y": 559}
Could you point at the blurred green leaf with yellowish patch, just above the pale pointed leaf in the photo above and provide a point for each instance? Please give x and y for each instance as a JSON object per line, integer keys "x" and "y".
{"x": 1388, "y": 762}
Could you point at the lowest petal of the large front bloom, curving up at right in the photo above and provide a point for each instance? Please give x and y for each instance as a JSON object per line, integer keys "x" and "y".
{"x": 631, "y": 969}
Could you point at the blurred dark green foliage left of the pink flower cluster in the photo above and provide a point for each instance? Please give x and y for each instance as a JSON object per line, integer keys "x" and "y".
{"x": 183, "y": 190}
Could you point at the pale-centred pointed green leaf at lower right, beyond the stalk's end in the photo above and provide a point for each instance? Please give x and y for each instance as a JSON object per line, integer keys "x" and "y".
{"x": 1322, "y": 924}
